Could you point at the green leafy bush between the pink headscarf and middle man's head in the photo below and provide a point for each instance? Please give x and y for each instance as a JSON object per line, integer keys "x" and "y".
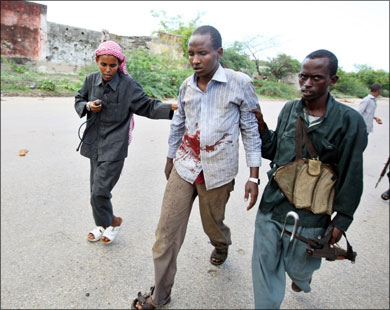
{"x": 159, "y": 75}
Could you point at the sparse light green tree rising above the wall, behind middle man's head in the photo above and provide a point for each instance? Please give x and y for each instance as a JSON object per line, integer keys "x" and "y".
{"x": 176, "y": 25}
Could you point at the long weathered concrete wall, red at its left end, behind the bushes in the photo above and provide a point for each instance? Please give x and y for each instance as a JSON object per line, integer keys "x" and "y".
{"x": 54, "y": 47}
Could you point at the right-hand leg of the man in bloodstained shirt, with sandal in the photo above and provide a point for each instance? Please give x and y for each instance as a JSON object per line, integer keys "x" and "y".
{"x": 212, "y": 205}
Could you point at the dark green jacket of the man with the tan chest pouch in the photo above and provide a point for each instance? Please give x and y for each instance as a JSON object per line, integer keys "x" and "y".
{"x": 339, "y": 137}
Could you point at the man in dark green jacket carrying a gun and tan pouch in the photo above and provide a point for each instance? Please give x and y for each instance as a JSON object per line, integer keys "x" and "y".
{"x": 338, "y": 134}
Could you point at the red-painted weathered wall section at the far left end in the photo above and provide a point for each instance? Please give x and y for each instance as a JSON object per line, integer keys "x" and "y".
{"x": 23, "y": 29}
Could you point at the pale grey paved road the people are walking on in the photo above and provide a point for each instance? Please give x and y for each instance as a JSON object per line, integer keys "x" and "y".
{"x": 47, "y": 262}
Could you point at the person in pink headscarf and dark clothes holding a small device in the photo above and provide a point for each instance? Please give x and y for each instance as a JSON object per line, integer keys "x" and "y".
{"x": 109, "y": 98}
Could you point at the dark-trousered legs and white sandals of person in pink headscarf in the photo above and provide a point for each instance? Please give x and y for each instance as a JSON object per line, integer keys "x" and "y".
{"x": 104, "y": 176}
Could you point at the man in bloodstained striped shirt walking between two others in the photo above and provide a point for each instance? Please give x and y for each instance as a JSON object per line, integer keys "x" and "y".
{"x": 214, "y": 107}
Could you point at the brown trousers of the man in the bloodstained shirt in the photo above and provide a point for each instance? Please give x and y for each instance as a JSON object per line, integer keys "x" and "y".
{"x": 175, "y": 212}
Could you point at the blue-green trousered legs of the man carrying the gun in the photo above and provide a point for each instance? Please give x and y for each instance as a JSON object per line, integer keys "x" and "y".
{"x": 273, "y": 257}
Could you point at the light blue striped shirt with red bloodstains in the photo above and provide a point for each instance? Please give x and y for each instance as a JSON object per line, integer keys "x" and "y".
{"x": 205, "y": 129}
